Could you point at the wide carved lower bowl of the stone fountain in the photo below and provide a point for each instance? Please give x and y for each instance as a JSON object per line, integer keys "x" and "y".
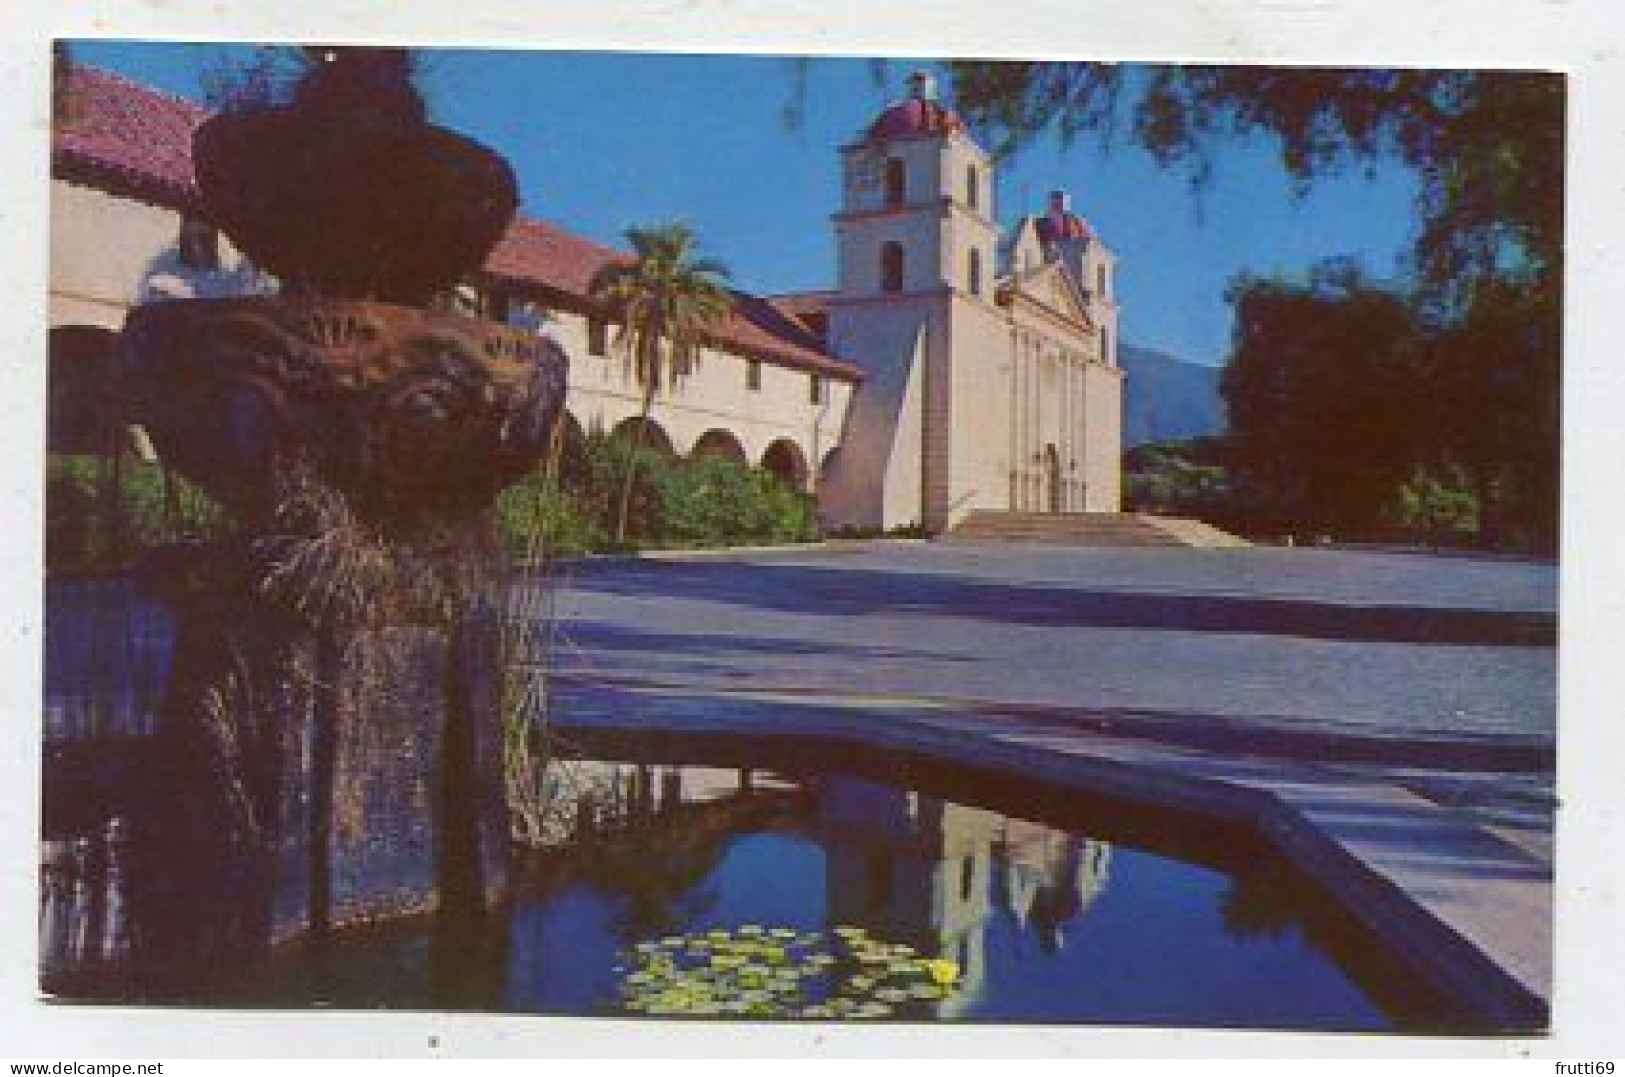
{"x": 415, "y": 417}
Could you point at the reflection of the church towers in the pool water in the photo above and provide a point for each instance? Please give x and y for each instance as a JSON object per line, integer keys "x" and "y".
{"x": 935, "y": 875}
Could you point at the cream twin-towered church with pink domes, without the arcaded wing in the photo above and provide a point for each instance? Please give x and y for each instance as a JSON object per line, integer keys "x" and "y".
{"x": 986, "y": 389}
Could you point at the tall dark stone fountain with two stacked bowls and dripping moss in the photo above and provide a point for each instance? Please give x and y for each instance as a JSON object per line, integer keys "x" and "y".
{"x": 332, "y": 730}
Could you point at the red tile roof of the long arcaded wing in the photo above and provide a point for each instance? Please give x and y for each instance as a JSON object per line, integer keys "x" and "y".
{"x": 137, "y": 142}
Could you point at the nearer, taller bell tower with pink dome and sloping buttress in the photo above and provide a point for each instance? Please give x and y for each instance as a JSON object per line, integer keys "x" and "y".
{"x": 917, "y": 246}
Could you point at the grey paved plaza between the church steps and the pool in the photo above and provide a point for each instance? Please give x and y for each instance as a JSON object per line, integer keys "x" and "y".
{"x": 1317, "y": 642}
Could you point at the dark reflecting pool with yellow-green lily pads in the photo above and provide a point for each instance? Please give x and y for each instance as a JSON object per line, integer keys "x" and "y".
{"x": 721, "y": 891}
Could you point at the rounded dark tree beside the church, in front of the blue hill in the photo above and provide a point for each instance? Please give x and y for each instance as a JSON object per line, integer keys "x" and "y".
{"x": 1322, "y": 394}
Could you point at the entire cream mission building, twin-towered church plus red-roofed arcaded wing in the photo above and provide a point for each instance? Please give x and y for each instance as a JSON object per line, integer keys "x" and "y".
{"x": 950, "y": 370}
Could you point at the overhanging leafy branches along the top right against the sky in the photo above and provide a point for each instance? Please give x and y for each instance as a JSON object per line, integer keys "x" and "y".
{"x": 1488, "y": 147}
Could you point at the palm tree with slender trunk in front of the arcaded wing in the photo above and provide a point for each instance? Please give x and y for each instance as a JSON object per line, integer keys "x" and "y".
{"x": 665, "y": 300}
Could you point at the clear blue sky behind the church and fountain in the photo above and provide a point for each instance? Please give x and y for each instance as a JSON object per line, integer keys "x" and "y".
{"x": 607, "y": 141}
